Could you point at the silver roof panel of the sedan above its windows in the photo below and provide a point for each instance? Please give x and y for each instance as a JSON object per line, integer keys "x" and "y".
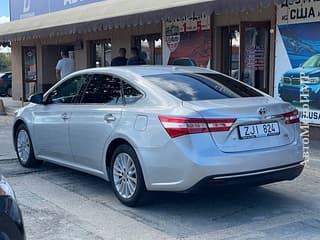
{"x": 148, "y": 70}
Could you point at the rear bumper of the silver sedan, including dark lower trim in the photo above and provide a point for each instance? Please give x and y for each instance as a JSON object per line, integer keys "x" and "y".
{"x": 182, "y": 164}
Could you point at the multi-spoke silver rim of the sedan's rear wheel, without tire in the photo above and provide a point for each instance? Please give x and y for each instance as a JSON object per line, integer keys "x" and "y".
{"x": 125, "y": 175}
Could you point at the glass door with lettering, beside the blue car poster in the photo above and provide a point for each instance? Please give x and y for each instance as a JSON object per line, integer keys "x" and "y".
{"x": 255, "y": 54}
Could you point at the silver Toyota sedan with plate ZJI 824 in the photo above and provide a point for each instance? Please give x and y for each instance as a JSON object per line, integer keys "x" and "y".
{"x": 153, "y": 128}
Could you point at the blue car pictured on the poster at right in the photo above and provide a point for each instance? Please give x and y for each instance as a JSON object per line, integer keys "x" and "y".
{"x": 308, "y": 75}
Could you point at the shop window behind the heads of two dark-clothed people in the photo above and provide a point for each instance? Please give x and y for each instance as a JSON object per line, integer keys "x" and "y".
{"x": 150, "y": 48}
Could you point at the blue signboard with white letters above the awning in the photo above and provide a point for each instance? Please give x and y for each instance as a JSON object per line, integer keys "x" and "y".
{"x": 20, "y": 9}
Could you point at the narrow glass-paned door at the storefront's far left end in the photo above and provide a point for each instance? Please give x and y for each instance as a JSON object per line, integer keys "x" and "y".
{"x": 29, "y": 71}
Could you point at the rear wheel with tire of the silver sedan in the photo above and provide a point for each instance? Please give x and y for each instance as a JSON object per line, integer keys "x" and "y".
{"x": 126, "y": 176}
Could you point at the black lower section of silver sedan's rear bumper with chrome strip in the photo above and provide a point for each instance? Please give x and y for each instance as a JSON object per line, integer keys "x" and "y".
{"x": 255, "y": 178}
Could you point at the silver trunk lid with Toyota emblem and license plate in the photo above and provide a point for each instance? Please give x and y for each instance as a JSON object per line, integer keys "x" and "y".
{"x": 253, "y": 116}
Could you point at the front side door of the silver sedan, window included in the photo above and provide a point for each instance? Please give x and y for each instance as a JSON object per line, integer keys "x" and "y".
{"x": 50, "y": 120}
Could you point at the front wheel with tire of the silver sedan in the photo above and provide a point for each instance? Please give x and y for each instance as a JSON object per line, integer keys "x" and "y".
{"x": 24, "y": 148}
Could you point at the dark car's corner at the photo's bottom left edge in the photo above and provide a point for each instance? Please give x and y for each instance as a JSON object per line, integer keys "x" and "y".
{"x": 11, "y": 222}
